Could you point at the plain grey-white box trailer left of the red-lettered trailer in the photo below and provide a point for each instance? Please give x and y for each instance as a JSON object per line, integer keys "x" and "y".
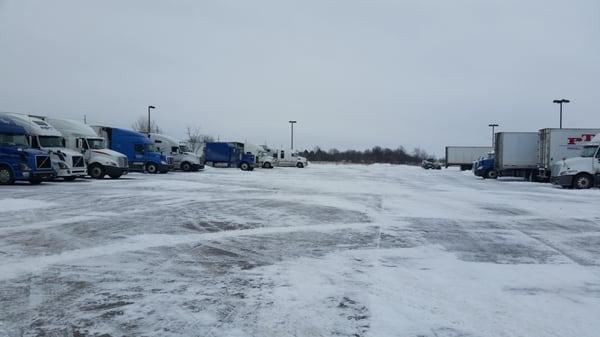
{"x": 516, "y": 154}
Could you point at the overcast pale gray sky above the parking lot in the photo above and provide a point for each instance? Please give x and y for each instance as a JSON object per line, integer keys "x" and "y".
{"x": 353, "y": 73}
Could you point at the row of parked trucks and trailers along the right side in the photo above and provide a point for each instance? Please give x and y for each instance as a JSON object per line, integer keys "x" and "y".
{"x": 566, "y": 157}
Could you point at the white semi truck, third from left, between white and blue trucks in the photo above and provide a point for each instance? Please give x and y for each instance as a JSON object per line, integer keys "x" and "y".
{"x": 82, "y": 138}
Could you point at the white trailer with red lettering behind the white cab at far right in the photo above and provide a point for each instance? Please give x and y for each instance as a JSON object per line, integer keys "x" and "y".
{"x": 558, "y": 144}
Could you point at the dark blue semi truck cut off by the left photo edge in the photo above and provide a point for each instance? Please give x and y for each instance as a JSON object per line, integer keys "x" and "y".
{"x": 19, "y": 162}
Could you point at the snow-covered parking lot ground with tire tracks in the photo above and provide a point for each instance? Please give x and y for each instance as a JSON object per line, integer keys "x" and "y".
{"x": 328, "y": 250}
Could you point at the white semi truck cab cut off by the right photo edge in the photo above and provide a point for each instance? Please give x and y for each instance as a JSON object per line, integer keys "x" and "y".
{"x": 583, "y": 171}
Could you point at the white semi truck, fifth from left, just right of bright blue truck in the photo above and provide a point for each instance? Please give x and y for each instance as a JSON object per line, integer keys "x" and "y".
{"x": 183, "y": 159}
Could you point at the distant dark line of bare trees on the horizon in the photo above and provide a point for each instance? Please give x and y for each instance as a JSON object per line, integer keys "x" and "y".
{"x": 373, "y": 155}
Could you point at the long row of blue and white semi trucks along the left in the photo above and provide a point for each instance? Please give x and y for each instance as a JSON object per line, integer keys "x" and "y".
{"x": 38, "y": 148}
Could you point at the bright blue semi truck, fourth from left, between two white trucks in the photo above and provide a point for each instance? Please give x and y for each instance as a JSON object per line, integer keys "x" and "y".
{"x": 142, "y": 154}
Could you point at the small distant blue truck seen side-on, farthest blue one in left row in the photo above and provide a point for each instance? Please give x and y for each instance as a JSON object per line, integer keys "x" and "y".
{"x": 228, "y": 154}
